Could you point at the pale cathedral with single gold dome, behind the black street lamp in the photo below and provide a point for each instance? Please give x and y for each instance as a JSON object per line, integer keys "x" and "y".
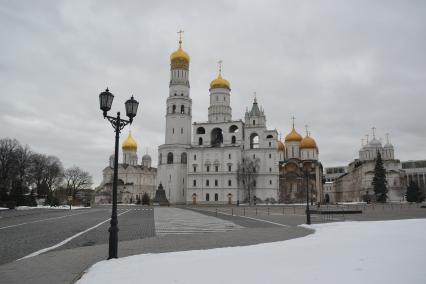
{"x": 133, "y": 179}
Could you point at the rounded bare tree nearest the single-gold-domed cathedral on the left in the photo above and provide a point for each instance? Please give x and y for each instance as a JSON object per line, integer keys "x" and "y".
{"x": 76, "y": 180}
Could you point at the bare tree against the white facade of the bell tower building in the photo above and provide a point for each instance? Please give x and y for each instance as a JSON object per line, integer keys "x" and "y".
{"x": 247, "y": 172}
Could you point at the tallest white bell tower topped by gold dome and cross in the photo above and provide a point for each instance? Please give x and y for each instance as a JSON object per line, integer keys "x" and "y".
{"x": 172, "y": 160}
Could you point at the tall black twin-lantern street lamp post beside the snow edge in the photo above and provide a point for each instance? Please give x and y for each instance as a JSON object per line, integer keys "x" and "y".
{"x": 105, "y": 102}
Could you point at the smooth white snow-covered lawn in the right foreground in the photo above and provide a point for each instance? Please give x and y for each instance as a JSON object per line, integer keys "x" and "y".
{"x": 348, "y": 252}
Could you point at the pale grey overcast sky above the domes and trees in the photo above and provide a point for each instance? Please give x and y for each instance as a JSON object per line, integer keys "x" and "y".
{"x": 341, "y": 67}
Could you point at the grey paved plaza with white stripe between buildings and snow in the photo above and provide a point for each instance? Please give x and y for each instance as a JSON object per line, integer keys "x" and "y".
{"x": 58, "y": 245}
